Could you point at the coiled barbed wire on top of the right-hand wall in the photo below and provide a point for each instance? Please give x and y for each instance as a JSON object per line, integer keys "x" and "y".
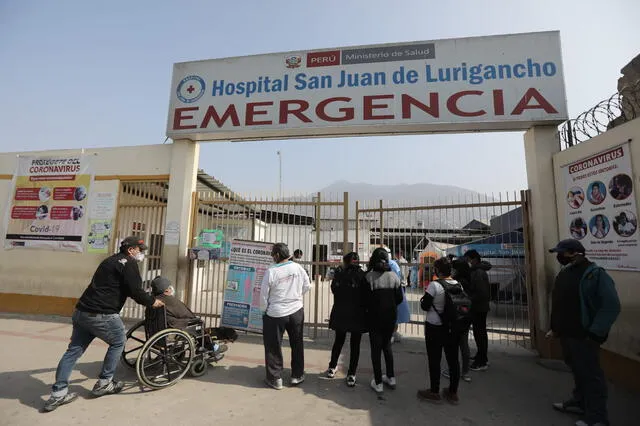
{"x": 621, "y": 107}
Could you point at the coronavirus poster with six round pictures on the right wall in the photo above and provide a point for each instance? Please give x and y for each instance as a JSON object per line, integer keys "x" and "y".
{"x": 602, "y": 210}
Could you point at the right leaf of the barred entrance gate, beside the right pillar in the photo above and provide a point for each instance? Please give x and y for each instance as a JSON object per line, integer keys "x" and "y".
{"x": 496, "y": 226}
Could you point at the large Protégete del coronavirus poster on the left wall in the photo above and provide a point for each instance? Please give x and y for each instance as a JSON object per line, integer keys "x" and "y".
{"x": 49, "y": 203}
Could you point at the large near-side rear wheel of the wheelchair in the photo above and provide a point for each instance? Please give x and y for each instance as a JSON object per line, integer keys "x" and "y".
{"x": 165, "y": 358}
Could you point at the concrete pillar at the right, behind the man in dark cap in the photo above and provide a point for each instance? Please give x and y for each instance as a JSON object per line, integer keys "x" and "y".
{"x": 540, "y": 144}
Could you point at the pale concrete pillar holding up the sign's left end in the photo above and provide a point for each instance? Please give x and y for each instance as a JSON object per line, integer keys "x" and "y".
{"x": 182, "y": 182}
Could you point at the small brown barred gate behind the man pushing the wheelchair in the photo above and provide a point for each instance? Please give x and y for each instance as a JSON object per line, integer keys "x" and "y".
{"x": 141, "y": 212}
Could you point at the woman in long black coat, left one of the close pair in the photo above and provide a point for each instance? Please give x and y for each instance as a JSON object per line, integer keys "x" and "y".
{"x": 347, "y": 314}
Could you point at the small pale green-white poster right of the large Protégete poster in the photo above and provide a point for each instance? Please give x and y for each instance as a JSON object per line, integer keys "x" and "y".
{"x": 101, "y": 215}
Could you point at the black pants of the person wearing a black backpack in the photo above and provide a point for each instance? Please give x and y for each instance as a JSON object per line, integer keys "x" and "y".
{"x": 437, "y": 339}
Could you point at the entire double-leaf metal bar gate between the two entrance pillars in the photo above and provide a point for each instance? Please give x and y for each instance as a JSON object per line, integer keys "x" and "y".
{"x": 324, "y": 228}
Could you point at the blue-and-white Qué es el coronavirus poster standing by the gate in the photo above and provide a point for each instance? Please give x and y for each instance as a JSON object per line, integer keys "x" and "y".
{"x": 241, "y": 303}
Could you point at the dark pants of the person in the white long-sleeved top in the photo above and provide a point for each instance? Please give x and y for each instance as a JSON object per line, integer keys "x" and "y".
{"x": 272, "y": 331}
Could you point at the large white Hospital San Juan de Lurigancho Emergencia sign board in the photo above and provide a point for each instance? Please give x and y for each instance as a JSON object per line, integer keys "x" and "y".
{"x": 506, "y": 82}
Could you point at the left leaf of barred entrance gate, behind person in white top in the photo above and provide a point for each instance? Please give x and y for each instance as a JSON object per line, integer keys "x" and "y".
{"x": 318, "y": 225}
